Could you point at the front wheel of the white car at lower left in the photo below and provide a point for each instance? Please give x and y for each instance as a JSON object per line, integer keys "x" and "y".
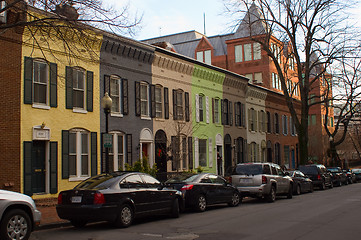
{"x": 16, "y": 224}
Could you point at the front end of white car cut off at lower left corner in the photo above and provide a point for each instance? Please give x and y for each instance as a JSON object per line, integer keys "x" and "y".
{"x": 18, "y": 215}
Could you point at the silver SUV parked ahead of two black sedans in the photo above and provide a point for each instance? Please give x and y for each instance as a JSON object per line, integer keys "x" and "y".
{"x": 262, "y": 180}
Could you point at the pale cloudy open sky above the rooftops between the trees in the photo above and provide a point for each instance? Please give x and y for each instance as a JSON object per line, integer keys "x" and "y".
{"x": 164, "y": 17}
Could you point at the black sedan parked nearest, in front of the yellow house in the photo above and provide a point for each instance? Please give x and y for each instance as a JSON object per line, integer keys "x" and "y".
{"x": 118, "y": 197}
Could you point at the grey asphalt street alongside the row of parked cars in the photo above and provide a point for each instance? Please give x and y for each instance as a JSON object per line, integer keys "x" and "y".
{"x": 329, "y": 214}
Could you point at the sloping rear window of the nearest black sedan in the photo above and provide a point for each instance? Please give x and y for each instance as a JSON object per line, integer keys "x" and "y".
{"x": 102, "y": 181}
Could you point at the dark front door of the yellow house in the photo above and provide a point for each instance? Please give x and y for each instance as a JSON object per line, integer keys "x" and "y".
{"x": 38, "y": 166}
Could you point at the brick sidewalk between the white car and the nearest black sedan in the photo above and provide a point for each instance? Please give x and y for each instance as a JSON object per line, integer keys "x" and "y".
{"x": 49, "y": 217}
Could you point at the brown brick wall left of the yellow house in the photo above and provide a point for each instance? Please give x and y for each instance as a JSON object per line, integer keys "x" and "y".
{"x": 10, "y": 78}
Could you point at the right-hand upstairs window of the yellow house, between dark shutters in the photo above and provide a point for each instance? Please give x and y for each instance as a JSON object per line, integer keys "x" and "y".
{"x": 79, "y": 88}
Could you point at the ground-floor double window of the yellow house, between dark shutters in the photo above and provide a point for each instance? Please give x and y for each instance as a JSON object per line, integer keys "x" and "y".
{"x": 79, "y": 160}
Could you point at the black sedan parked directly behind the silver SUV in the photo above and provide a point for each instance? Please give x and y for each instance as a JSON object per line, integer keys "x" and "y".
{"x": 202, "y": 190}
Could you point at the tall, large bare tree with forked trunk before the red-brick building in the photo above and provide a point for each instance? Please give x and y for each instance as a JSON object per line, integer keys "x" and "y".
{"x": 311, "y": 34}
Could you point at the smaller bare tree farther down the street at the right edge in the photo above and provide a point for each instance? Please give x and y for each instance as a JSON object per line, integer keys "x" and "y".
{"x": 346, "y": 80}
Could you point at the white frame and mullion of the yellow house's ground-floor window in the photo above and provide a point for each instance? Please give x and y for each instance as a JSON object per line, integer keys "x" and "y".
{"x": 78, "y": 154}
